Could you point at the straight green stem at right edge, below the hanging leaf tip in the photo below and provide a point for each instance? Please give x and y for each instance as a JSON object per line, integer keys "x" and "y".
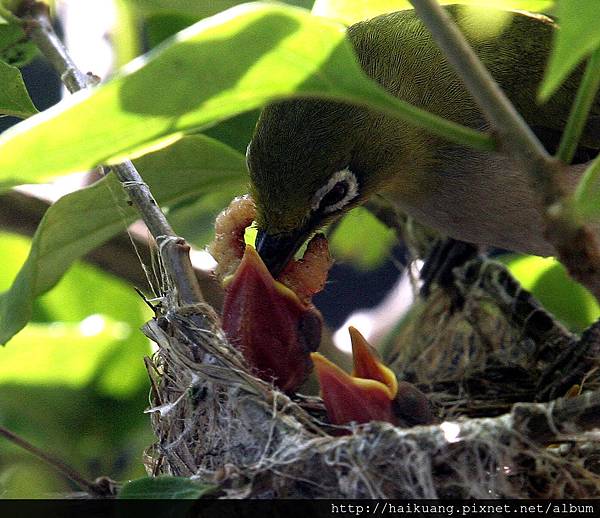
{"x": 586, "y": 95}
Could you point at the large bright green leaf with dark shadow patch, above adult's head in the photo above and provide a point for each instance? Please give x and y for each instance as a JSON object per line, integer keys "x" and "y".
{"x": 222, "y": 66}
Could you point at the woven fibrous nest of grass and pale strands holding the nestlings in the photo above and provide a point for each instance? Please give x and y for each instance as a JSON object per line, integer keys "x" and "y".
{"x": 216, "y": 422}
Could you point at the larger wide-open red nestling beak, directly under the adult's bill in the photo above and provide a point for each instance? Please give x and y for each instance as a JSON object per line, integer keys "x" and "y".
{"x": 275, "y": 331}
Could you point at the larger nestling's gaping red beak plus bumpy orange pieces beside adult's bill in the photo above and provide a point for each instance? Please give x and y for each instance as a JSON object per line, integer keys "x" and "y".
{"x": 272, "y": 322}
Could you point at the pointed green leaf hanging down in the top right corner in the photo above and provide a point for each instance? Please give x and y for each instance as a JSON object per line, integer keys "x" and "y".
{"x": 578, "y": 36}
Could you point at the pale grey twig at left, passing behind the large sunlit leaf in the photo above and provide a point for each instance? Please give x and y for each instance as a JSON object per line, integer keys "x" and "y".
{"x": 174, "y": 250}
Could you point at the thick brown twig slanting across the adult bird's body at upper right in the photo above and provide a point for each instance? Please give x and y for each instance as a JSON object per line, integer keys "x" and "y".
{"x": 576, "y": 245}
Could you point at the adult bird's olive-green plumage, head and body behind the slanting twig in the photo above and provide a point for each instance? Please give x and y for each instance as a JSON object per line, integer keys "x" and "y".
{"x": 311, "y": 160}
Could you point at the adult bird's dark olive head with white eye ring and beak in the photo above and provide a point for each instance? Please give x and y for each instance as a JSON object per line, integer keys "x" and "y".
{"x": 310, "y": 161}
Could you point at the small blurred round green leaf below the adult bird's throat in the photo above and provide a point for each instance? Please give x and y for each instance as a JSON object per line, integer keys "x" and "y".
{"x": 362, "y": 239}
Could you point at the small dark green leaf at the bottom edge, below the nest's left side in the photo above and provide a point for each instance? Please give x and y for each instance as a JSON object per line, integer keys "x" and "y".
{"x": 164, "y": 488}
